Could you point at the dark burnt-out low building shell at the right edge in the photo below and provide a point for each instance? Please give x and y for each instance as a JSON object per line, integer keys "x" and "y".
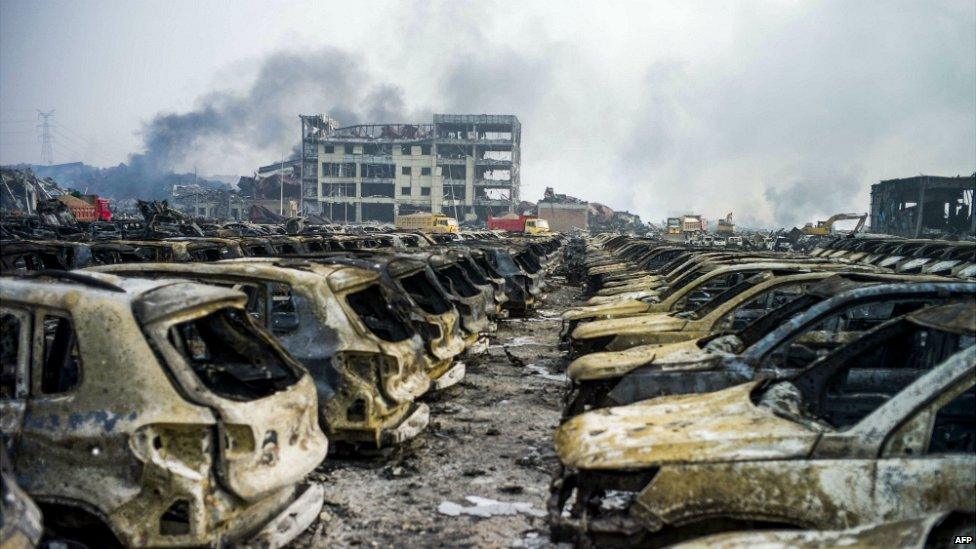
{"x": 924, "y": 206}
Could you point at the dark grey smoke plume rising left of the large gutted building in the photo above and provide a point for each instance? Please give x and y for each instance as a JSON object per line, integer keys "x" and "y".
{"x": 261, "y": 123}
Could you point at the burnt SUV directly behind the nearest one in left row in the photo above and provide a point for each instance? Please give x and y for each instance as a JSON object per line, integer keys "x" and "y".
{"x": 366, "y": 381}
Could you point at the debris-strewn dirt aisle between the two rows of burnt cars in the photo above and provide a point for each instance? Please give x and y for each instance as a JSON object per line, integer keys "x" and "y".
{"x": 491, "y": 437}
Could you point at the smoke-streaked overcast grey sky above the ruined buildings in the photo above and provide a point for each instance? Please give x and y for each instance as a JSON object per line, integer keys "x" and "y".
{"x": 780, "y": 111}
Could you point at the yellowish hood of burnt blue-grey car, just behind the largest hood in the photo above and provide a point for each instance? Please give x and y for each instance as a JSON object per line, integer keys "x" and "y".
{"x": 684, "y": 355}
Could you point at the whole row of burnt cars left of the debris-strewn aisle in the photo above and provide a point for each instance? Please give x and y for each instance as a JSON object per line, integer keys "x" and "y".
{"x": 181, "y": 398}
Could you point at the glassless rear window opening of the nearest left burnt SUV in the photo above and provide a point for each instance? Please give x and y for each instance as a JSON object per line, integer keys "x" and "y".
{"x": 230, "y": 357}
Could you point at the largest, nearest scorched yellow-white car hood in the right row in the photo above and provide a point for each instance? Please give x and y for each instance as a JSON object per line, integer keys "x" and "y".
{"x": 707, "y": 428}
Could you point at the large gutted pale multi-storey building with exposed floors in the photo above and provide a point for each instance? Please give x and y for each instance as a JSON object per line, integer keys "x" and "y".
{"x": 466, "y": 166}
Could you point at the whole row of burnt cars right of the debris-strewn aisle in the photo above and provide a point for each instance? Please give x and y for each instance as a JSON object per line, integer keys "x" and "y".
{"x": 763, "y": 399}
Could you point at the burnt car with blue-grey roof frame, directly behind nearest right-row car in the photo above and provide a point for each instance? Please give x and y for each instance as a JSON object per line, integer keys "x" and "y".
{"x": 786, "y": 339}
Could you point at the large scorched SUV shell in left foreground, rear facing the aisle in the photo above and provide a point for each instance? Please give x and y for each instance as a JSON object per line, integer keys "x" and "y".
{"x": 155, "y": 412}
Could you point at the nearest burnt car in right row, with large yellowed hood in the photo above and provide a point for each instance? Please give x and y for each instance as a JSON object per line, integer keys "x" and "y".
{"x": 881, "y": 429}
